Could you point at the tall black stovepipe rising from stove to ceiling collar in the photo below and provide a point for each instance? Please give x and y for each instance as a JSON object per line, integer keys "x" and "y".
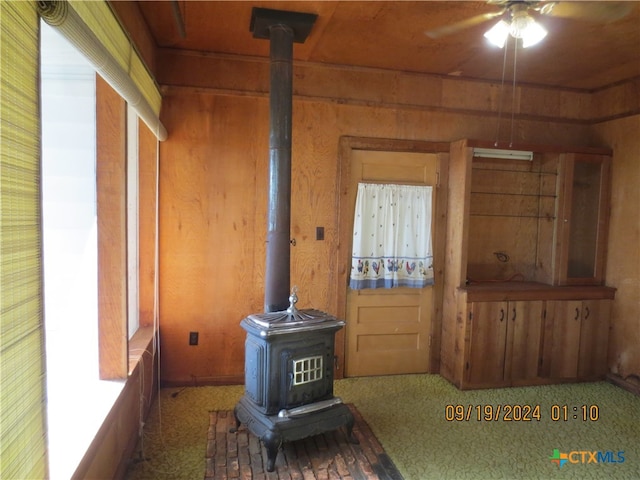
{"x": 282, "y": 28}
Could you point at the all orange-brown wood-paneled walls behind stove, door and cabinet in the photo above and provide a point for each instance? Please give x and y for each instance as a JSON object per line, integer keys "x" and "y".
{"x": 214, "y": 167}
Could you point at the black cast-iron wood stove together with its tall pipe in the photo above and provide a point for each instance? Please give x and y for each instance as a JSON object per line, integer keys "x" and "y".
{"x": 289, "y": 353}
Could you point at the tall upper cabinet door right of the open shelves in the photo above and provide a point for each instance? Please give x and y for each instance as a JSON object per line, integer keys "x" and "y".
{"x": 584, "y": 220}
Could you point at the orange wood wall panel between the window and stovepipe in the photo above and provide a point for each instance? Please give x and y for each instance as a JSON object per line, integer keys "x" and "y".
{"x": 212, "y": 233}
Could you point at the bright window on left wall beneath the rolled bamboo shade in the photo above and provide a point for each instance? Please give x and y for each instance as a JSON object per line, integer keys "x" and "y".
{"x": 78, "y": 401}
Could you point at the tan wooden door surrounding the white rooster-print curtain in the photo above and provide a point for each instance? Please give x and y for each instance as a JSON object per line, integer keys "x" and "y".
{"x": 392, "y": 331}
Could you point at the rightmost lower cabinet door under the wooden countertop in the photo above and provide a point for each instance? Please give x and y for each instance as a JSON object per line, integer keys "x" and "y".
{"x": 594, "y": 339}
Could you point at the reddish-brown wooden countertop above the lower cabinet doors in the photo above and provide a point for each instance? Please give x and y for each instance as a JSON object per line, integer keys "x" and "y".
{"x": 505, "y": 291}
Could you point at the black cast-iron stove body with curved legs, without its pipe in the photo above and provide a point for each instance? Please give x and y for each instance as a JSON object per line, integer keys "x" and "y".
{"x": 289, "y": 358}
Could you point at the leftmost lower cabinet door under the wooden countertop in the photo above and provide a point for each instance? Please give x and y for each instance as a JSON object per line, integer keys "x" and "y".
{"x": 488, "y": 334}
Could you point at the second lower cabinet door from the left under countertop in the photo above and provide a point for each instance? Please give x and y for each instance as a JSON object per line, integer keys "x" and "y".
{"x": 524, "y": 338}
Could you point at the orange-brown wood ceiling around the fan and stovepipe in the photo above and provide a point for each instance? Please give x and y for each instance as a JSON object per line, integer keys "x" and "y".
{"x": 578, "y": 53}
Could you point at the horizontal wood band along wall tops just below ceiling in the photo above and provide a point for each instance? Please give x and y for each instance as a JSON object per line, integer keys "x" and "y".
{"x": 180, "y": 71}
